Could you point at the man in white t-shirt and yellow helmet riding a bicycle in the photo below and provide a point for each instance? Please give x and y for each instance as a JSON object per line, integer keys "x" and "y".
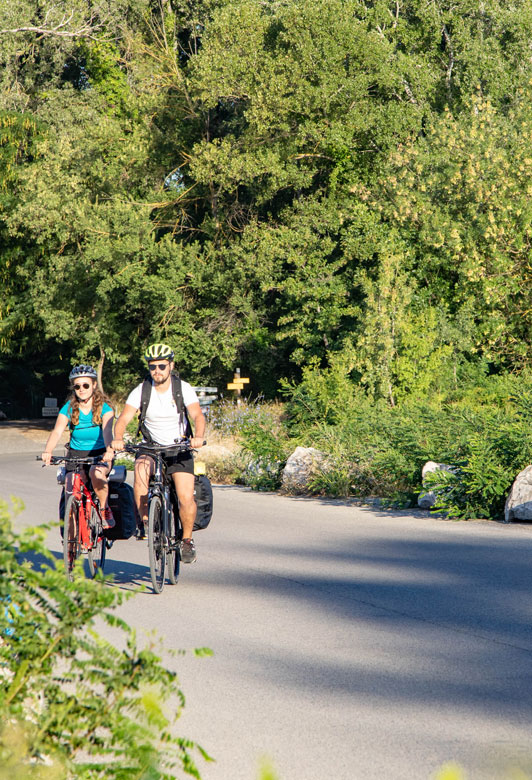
{"x": 163, "y": 424}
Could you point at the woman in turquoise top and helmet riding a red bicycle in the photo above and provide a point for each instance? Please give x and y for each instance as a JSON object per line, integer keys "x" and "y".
{"x": 90, "y": 419}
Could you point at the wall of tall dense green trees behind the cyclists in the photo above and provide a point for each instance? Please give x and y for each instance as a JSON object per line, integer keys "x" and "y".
{"x": 269, "y": 185}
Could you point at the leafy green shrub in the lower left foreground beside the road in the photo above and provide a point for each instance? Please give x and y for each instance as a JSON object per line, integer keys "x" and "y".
{"x": 99, "y": 710}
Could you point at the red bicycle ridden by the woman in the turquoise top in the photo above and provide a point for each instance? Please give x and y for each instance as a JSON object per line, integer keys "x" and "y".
{"x": 83, "y": 524}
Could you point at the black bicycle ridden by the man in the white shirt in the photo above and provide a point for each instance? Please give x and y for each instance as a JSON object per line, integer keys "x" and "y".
{"x": 164, "y": 524}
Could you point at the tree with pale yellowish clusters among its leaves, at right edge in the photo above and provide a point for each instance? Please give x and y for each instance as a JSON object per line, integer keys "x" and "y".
{"x": 460, "y": 197}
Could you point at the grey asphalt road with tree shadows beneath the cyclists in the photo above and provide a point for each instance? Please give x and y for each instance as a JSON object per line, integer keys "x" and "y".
{"x": 348, "y": 644}
